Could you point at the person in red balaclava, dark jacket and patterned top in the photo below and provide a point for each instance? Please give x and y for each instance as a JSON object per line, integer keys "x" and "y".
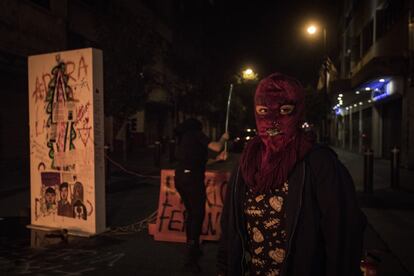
{"x": 291, "y": 208}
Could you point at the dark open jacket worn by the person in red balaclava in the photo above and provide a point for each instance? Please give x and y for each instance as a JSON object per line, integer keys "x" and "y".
{"x": 324, "y": 223}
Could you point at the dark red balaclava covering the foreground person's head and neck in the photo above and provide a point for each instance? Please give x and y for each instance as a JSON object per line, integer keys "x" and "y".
{"x": 281, "y": 143}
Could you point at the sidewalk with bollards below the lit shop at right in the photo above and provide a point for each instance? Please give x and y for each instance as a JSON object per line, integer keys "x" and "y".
{"x": 390, "y": 212}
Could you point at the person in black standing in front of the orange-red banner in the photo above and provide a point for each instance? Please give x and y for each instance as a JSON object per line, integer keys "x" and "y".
{"x": 192, "y": 156}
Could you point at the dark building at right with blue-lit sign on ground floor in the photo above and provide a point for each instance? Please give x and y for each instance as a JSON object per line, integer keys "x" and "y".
{"x": 375, "y": 108}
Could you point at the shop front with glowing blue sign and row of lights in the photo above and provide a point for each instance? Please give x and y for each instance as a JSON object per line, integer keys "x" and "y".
{"x": 370, "y": 116}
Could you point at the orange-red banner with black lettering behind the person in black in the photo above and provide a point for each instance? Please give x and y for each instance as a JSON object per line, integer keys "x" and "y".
{"x": 170, "y": 223}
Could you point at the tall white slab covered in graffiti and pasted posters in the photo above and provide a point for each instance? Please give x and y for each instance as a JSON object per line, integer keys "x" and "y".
{"x": 67, "y": 169}
